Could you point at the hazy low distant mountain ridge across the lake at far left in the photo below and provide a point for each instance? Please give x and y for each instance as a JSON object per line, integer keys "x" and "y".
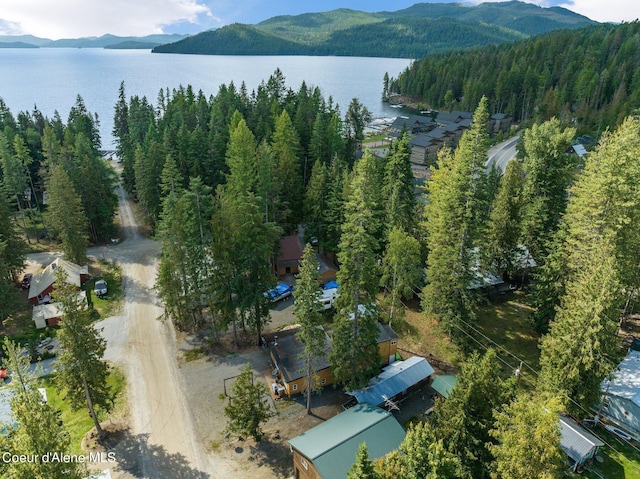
{"x": 105, "y": 41}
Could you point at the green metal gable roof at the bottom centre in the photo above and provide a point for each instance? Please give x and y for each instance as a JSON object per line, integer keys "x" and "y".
{"x": 332, "y": 445}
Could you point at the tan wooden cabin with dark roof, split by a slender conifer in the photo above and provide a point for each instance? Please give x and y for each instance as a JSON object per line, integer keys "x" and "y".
{"x": 286, "y": 355}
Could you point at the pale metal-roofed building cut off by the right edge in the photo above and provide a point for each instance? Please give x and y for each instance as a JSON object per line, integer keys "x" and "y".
{"x": 622, "y": 393}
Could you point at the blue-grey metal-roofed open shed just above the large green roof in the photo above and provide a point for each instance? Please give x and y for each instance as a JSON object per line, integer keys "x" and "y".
{"x": 394, "y": 380}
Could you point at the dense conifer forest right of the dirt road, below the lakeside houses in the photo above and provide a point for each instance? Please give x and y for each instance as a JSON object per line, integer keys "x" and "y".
{"x": 224, "y": 177}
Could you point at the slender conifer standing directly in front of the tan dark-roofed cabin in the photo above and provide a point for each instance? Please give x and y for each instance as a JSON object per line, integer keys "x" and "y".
{"x": 308, "y": 311}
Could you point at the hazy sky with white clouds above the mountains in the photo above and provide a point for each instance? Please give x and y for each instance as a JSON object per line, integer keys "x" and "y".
{"x": 82, "y": 18}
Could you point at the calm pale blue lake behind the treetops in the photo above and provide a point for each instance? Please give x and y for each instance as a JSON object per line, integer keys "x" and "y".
{"x": 52, "y": 78}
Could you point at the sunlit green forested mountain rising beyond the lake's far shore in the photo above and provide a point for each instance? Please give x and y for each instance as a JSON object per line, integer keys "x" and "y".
{"x": 409, "y": 33}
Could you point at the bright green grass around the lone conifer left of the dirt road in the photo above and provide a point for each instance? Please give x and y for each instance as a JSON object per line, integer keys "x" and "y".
{"x": 78, "y": 423}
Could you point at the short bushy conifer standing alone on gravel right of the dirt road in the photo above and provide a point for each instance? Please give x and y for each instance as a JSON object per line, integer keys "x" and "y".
{"x": 247, "y": 407}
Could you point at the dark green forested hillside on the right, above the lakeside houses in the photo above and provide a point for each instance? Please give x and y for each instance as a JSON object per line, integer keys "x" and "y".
{"x": 590, "y": 76}
